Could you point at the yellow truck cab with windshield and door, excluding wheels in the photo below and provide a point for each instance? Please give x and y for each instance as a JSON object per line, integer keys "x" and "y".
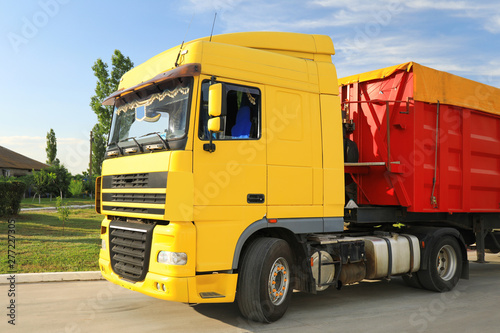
{"x": 182, "y": 202}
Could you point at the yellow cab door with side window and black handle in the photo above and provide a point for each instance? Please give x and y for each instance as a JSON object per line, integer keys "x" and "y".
{"x": 230, "y": 181}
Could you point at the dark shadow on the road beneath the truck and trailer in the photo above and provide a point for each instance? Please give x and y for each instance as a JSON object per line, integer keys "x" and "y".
{"x": 370, "y": 298}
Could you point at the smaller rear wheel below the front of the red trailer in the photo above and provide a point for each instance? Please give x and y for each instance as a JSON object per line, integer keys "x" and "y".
{"x": 445, "y": 266}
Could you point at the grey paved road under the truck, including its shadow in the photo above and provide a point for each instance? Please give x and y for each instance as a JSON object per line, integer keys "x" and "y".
{"x": 99, "y": 306}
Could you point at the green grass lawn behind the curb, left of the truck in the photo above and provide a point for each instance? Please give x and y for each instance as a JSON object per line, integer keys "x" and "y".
{"x": 42, "y": 246}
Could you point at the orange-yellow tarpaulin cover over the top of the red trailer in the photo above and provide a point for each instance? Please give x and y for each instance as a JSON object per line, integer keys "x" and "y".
{"x": 430, "y": 85}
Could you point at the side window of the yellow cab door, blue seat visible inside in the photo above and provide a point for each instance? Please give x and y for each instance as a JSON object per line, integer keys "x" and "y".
{"x": 242, "y": 121}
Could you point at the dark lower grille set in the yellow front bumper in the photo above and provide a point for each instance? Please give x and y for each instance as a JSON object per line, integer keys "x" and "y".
{"x": 130, "y": 248}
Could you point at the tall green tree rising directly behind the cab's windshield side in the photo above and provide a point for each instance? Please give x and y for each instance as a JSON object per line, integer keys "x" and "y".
{"x": 107, "y": 83}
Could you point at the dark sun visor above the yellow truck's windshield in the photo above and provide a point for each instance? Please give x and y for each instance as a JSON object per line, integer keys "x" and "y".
{"x": 181, "y": 71}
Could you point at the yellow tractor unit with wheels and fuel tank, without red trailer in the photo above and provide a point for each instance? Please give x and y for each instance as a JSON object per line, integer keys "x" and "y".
{"x": 224, "y": 180}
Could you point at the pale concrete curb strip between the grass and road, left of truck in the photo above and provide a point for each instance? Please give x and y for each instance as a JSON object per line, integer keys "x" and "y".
{"x": 51, "y": 277}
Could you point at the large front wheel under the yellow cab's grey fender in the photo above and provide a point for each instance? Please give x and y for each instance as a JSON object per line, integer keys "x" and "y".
{"x": 264, "y": 282}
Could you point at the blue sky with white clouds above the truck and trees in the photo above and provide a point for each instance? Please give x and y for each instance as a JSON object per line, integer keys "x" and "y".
{"x": 49, "y": 46}
